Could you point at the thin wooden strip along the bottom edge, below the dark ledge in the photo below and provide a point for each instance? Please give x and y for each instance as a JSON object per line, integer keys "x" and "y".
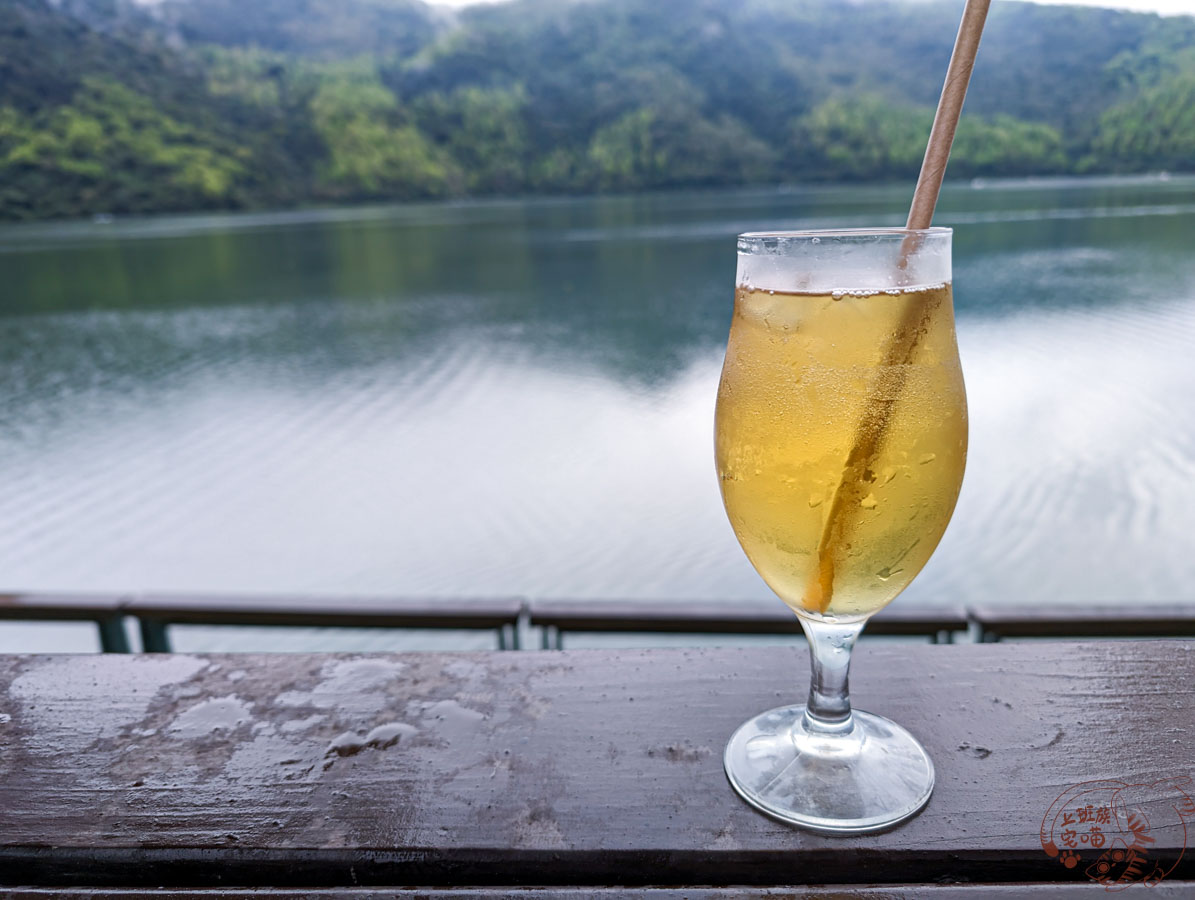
{"x": 1165, "y": 891}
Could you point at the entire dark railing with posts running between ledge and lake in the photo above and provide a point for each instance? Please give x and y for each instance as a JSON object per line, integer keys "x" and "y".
{"x": 513, "y": 619}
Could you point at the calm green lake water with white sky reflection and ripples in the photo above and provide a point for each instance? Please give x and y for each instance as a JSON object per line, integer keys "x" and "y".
{"x": 517, "y": 399}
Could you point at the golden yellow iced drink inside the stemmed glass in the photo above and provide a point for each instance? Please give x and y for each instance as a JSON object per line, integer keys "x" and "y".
{"x": 841, "y": 440}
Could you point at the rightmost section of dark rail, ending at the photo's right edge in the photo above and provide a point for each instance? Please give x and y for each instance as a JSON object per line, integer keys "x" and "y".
{"x": 1126, "y": 621}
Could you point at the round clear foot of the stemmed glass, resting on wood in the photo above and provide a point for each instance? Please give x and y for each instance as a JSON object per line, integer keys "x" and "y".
{"x": 866, "y": 780}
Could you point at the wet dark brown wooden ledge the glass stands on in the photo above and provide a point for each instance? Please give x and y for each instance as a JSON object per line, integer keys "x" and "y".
{"x": 550, "y": 769}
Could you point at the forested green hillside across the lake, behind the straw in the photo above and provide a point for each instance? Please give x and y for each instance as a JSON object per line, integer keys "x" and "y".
{"x": 112, "y": 107}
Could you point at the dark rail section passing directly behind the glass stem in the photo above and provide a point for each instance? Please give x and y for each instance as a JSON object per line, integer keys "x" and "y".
{"x": 726, "y": 619}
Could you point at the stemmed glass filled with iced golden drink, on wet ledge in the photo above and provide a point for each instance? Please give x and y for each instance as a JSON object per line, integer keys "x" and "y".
{"x": 841, "y": 443}
